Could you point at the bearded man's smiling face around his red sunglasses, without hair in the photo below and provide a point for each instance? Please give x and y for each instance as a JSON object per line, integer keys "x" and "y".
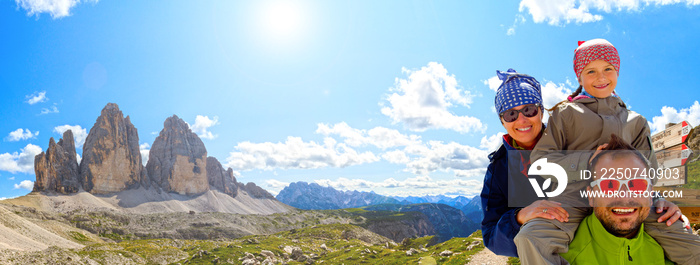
{"x": 621, "y": 216}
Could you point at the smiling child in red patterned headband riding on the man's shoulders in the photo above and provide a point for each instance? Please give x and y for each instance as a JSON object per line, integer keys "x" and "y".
{"x": 581, "y": 125}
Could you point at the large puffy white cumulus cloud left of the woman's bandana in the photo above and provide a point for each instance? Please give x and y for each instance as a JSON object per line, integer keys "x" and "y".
{"x": 422, "y": 101}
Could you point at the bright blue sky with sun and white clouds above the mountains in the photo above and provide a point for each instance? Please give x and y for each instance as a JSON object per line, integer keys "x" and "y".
{"x": 390, "y": 96}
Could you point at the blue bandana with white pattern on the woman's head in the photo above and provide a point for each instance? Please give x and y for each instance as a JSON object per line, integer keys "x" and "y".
{"x": 516, "y": 89}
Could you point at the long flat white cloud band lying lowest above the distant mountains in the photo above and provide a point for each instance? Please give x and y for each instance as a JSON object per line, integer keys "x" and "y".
{"x": 417, "y": 186}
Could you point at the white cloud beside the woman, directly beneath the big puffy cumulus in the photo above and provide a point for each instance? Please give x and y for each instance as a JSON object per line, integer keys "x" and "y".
{"x": 439, "y": 156}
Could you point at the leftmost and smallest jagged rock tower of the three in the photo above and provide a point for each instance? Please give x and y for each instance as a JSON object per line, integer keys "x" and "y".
{"x": 57, "y": 168}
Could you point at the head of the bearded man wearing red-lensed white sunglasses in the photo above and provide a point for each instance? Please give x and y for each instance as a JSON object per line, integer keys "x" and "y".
{"x": 620, "y": 168}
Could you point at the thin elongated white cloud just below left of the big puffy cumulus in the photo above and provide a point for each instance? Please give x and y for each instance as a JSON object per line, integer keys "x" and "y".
{"x": 379, "y": 136}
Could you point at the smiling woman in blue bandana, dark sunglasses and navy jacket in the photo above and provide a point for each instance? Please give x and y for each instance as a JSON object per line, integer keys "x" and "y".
{"x": 519, "y": 106}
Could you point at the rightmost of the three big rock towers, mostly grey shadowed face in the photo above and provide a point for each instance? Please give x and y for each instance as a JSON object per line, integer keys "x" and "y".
{"x": 177, "y": 161}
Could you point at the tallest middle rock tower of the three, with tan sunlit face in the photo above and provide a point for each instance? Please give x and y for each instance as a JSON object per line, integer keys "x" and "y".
{"x": 111, "y": 157}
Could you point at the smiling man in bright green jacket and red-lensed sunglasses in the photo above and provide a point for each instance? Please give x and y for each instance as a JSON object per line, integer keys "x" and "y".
{"x": 614, "y": 233}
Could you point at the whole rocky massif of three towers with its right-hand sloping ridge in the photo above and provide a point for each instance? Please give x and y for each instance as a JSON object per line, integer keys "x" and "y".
{"x": 111, "y": 163}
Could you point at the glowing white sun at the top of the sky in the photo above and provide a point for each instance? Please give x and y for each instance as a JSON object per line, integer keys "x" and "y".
{"x": 282, "y": 20}
